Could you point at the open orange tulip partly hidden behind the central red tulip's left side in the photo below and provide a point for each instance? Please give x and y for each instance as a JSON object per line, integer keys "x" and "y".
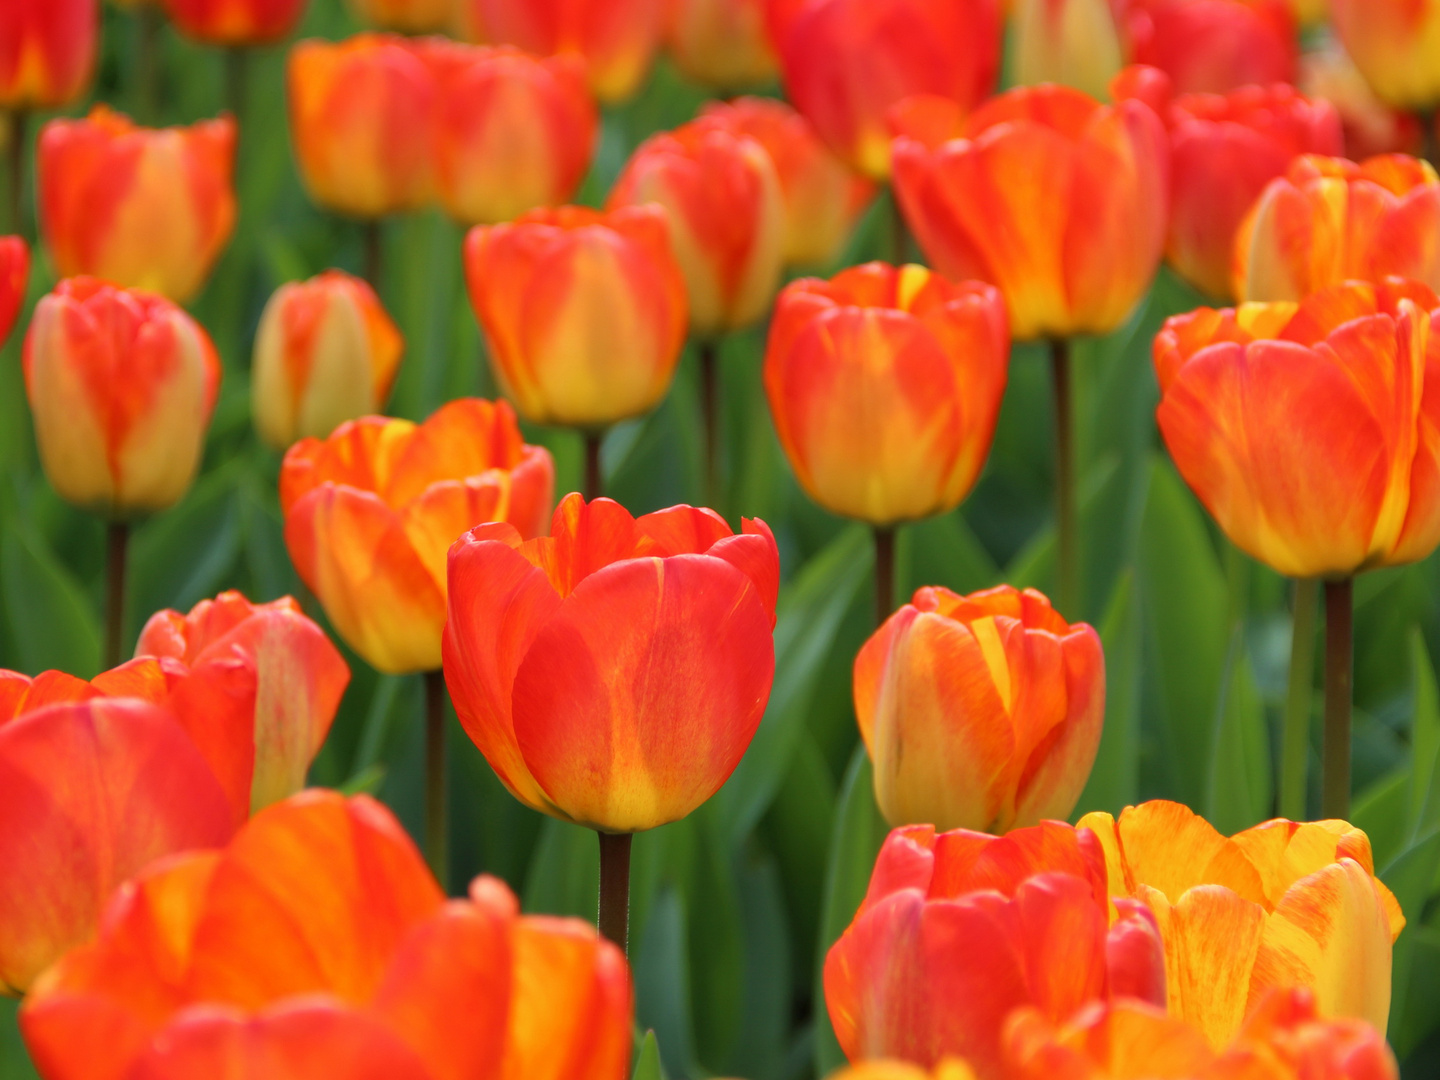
{"x": 372, "y": 512}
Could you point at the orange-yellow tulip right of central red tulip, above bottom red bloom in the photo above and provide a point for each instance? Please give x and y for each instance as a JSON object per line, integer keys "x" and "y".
{"x": 980, "y": 712}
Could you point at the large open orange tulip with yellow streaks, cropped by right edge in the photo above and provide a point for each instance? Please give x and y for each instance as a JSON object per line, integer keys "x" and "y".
{"x": 1313, "y": 434}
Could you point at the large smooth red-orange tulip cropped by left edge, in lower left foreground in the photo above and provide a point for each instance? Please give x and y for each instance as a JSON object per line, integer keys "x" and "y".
{"x": 90, "y": 794}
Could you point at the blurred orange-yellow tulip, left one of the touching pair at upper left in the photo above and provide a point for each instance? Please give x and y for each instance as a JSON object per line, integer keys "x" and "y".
{"x": 362, "y": 122}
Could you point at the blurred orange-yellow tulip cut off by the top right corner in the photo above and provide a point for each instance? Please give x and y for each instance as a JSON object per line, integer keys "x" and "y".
{"x": 1396, "y": 44}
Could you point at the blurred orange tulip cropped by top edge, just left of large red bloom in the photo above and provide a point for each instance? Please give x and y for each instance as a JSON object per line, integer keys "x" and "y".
{"x": 721, "y": 44}
